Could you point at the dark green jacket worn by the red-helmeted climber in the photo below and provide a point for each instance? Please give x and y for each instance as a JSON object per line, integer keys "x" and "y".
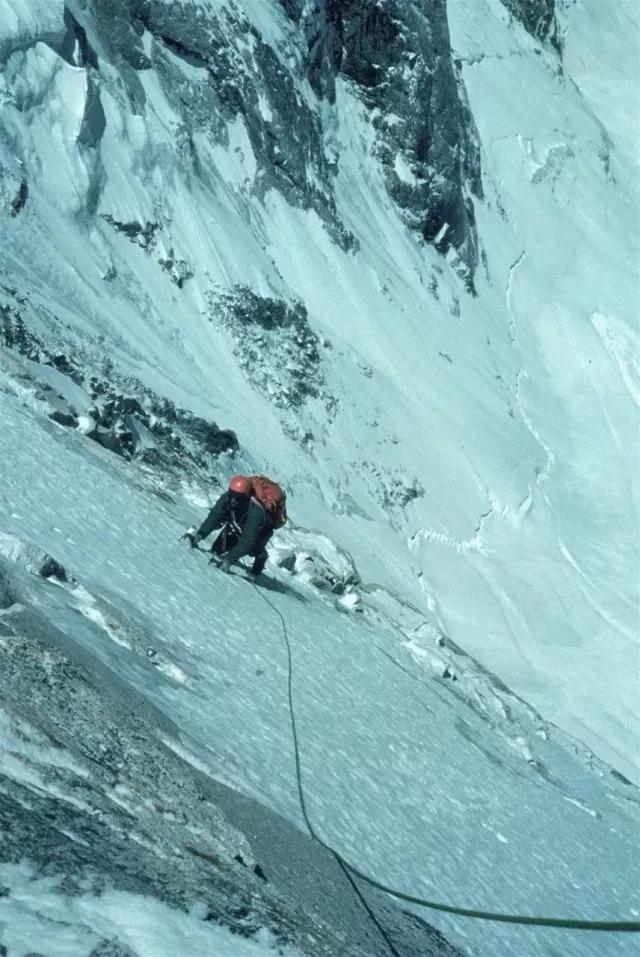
{"x": 248, "y": 525}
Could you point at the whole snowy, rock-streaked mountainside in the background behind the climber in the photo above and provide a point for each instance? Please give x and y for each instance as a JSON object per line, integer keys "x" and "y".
{"x": 241, "y": 244}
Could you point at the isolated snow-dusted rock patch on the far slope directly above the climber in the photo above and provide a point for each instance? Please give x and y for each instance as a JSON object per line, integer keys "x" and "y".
{"x": 274, "y": 345}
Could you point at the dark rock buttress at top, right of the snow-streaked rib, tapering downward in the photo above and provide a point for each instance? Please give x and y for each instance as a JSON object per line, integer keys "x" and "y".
{"x": 398, "y": 54}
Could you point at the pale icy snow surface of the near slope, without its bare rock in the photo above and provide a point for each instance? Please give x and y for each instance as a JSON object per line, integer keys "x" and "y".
{"x": 456, "y": 793}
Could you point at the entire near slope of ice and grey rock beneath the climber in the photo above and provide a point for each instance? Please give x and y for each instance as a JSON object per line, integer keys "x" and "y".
{"x": 147, "y": 769}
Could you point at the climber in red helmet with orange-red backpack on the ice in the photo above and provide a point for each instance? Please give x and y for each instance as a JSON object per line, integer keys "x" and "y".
{"x": 248, "y": 514}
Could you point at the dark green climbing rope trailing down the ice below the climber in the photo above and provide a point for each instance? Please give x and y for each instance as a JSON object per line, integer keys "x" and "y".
{"x": 591, "y": 925}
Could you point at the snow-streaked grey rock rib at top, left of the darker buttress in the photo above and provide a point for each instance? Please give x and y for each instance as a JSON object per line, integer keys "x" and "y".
{"x": 240, "y": 76}
